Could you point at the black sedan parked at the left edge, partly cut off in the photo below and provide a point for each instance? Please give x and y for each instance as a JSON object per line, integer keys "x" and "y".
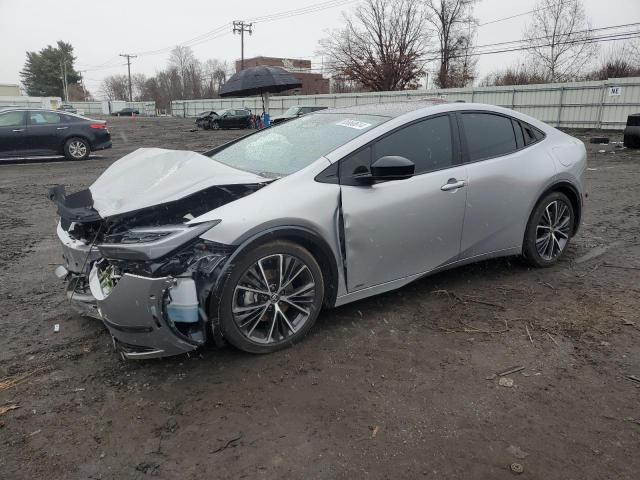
{"x": 36, "y": 132}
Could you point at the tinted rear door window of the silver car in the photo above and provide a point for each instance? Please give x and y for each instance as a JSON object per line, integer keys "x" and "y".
{"x": 488, "y": 135}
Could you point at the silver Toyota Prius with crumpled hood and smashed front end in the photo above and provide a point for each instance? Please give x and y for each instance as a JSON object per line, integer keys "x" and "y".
{"x": 247, "y": 242}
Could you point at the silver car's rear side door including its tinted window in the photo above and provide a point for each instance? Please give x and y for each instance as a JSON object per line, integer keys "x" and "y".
{"x": 506, "y": 166}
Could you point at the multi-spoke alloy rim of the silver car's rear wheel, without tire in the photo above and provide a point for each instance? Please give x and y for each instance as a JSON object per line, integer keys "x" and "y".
{"x": 553, "y": 230}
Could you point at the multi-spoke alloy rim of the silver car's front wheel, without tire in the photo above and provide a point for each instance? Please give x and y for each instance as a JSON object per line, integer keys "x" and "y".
{"x": 273, "y": 299}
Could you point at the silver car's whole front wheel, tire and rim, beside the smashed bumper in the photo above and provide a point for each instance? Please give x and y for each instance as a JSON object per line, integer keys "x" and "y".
{"x": 271, "y": 298}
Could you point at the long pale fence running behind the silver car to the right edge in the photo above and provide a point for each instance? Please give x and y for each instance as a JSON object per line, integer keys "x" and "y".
{"x": 598, "y": 104}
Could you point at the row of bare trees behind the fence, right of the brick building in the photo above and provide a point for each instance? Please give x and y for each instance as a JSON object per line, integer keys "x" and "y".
{"x": 394, "y": 44}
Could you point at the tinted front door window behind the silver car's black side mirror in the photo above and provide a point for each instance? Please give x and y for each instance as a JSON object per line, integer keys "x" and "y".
{"x": 428, "y": 144}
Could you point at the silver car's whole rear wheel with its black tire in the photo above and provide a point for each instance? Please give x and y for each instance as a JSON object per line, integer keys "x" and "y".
{"x": 534, "y": 239}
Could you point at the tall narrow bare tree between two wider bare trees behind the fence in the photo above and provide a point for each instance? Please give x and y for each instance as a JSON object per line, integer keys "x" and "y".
{"x": 454, "y": 28}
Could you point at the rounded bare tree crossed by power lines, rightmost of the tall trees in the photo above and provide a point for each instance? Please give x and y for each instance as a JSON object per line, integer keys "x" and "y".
{"x": 560, "y": 39}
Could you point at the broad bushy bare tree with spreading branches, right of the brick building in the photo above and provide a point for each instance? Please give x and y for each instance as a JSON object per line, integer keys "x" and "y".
{"x": 381, "y": 46}
